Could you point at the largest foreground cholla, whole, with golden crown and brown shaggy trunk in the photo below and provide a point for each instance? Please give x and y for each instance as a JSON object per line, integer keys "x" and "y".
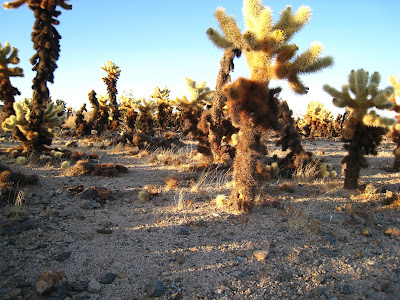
{"x": 252, "y": 106}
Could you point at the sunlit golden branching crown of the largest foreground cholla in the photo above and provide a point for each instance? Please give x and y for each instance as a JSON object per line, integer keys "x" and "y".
{"x": 266, "y": 45}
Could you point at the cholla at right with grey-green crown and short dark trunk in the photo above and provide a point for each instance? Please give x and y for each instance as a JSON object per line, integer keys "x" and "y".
{"x": 362, "y": 130}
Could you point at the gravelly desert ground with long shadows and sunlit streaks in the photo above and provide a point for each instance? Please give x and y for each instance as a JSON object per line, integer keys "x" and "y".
{"x": 303, "y": 240}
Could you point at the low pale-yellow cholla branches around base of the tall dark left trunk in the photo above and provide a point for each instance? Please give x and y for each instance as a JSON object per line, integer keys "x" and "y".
{"x": 21, "y": 120}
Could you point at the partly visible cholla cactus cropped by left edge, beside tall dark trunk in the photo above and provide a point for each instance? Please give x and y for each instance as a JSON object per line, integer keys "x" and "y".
{"x": 8, "y": 56}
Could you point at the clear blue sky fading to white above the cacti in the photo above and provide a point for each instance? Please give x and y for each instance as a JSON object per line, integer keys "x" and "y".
{"x": 159, "y": 43}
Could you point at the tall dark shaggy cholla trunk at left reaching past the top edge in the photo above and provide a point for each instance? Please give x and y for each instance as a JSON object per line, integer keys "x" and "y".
{"x": 45, "y": 40}
